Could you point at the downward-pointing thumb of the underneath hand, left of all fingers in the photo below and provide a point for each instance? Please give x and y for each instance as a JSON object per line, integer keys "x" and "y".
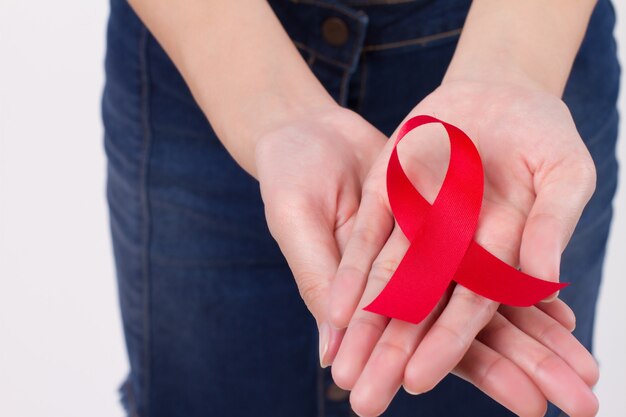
{"x": 305, "y": 236}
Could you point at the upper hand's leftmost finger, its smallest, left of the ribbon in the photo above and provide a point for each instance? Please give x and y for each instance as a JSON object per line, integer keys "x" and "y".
{"x": 370, "y": 231}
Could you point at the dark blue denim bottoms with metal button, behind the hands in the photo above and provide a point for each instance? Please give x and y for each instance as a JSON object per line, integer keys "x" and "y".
{"x": 213, "y": 321}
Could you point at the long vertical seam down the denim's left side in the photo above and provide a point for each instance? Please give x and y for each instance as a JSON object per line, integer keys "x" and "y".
{"x": 145, "y": 213}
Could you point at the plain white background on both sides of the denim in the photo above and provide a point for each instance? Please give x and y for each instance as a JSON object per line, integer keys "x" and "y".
{"x": 61, "y": 346}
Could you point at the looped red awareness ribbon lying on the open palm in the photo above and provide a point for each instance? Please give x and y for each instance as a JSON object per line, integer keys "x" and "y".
{"x": 442, "y": 248}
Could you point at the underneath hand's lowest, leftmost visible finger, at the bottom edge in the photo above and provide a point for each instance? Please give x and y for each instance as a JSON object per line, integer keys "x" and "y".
{"x": 501, "y": 380}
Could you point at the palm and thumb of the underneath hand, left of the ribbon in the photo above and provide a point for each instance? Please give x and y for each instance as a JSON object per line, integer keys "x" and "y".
{"x": 310, "y": 171}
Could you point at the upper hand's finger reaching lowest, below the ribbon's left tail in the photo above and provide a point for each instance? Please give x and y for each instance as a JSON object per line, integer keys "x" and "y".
{"x": 383, "y": 374}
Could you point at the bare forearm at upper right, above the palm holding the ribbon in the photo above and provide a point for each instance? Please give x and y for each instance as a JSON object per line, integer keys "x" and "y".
{"x": 521, "y": 41}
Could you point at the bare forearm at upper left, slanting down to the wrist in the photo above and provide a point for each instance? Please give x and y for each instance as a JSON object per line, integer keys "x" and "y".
{"x": 240, "y": 65}
